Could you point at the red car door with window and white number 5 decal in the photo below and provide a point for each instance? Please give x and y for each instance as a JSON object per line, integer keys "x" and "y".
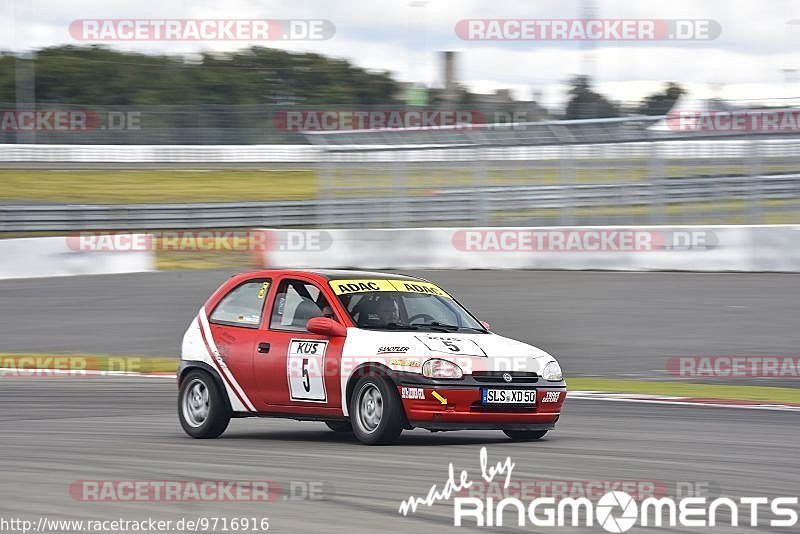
{"x": 300, "y": 373}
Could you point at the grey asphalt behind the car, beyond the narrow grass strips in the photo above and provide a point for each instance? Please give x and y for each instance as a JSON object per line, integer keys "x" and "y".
{"x": 596, "y": 323}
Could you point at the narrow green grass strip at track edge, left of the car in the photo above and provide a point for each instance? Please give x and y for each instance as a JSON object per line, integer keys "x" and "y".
{"x": 19, "y": 362}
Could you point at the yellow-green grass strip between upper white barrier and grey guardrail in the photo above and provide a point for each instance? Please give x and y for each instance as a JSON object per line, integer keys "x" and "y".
{"x": 104, "y": 186}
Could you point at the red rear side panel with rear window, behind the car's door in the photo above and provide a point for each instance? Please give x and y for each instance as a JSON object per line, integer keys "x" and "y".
{"x": 235, "y": 324}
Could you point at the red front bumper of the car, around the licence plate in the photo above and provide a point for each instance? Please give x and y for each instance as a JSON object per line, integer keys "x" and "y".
{"x": 452, "y": 407}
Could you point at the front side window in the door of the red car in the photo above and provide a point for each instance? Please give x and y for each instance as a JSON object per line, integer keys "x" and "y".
{"x": 296, "y": 303}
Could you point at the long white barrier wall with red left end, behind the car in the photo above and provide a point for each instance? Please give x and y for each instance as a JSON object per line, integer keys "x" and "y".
{"x": 773, "y": 248}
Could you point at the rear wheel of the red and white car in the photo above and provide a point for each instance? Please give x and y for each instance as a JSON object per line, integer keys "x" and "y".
{"x": 206, "y": 396}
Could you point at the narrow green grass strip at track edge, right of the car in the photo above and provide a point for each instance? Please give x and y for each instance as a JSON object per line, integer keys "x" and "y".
{"x": 685, "y": 389}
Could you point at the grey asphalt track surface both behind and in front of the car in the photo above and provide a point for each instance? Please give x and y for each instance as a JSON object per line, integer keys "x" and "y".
{"x": 57, "y": 431}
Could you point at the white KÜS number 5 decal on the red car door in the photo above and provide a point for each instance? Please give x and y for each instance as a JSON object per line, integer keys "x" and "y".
{"x": 305, "y": 366}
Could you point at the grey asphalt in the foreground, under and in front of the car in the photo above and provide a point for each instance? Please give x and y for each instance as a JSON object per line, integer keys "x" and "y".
{"x": 57, "y": 431}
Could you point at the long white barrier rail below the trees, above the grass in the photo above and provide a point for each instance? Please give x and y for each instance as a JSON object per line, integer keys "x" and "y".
{"x": 114, "y": 156}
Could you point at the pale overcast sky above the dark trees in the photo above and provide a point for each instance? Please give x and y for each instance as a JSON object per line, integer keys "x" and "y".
{"x": 747, "y": 61}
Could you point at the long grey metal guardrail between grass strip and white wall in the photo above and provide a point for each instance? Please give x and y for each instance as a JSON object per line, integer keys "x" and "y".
{"x": 480, "y": 205}
